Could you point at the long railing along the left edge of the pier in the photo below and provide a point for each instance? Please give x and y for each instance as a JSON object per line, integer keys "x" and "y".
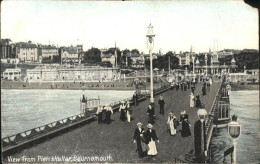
{"x": 50, "y": 130}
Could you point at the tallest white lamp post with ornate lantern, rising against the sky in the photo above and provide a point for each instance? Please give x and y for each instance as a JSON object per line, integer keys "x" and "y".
{"x": 150, "y": 44}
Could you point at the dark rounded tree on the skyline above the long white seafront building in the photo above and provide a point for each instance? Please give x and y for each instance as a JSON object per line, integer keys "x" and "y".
{"x": 93, "y": 55}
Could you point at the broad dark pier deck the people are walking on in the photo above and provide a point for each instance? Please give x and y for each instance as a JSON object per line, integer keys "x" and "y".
{"x": 116, "y": 138}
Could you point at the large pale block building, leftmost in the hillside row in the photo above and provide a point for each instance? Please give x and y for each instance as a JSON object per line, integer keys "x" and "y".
{"x": 27, "y": 52}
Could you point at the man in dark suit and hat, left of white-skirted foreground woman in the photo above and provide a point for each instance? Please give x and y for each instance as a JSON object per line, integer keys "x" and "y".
{"x": 140, "y": 140}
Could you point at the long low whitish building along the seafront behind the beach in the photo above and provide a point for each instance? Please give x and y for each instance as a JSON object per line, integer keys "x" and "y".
{"x": 87, "y": 74}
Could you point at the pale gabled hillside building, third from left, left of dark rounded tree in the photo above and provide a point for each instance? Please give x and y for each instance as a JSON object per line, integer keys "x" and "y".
{"x": 69, "y": 55}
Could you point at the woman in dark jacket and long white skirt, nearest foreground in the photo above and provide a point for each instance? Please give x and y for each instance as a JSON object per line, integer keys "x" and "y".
{"x": 151, "y": 138}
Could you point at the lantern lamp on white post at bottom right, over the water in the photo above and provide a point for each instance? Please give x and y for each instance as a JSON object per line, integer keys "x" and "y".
{"x": 234, "y": 130}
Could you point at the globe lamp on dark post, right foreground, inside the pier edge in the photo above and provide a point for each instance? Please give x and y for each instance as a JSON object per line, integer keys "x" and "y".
{"x": 202, "y": 113}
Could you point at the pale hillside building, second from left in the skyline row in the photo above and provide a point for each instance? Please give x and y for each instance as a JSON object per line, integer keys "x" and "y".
{"x": 47, "y": 52}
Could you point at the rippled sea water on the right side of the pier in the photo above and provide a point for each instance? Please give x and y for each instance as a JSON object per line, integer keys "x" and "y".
{"x": 245, "y": 104}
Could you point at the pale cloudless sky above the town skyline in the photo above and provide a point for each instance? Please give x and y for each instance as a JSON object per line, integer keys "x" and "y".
{"x": 176, "y": 24}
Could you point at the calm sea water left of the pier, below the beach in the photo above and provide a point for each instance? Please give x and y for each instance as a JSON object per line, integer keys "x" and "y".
{"x": 22, "y": 110}
